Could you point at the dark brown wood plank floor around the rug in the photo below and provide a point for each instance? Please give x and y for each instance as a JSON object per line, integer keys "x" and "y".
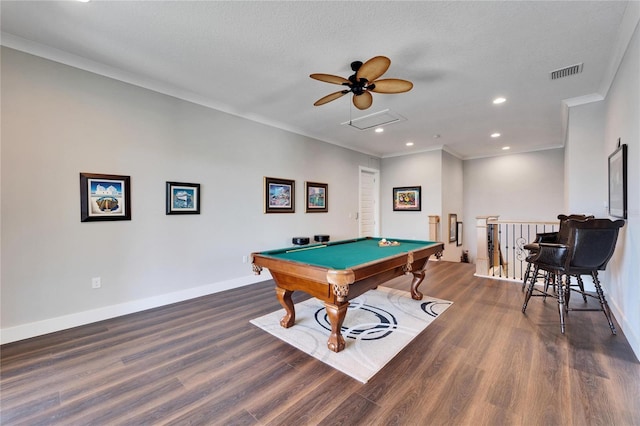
{"x": 200, "y": 362}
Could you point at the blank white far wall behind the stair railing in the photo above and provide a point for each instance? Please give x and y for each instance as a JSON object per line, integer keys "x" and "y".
{"x": 527, "y": 187}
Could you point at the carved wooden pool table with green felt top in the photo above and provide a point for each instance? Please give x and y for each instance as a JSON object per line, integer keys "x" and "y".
{"x": 342, "y": 270}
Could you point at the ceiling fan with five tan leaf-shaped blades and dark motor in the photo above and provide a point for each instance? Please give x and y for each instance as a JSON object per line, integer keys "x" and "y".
{"x": 363, "y": 82}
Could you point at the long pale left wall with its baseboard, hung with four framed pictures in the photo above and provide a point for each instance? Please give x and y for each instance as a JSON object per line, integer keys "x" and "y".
{"x": 58, "y": 121}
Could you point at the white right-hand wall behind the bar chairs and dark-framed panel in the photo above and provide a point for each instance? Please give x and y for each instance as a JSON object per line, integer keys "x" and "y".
{"x": 594, "y": 130}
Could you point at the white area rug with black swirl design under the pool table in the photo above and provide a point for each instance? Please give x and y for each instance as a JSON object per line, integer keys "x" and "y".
{"x": 378, "y": 325}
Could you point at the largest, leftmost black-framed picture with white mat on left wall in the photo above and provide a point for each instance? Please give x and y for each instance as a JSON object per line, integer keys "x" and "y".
{"x": 104, "y": 197}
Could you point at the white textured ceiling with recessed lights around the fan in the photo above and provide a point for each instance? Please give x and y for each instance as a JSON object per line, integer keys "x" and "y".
{"x": 253, "y": 59}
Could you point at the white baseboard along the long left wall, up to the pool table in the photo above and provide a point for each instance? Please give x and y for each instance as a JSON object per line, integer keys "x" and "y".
{"x": 38, "y": 328}
